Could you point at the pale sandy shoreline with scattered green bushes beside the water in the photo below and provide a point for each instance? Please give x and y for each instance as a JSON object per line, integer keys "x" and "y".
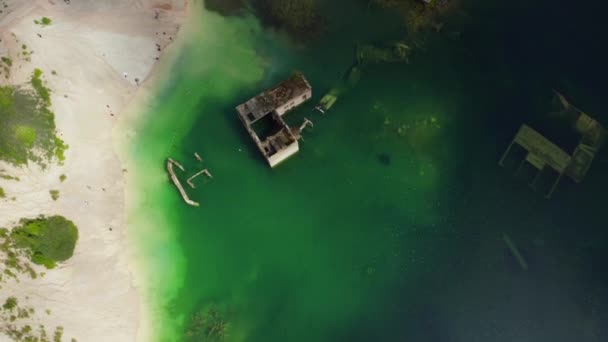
{"x": 102, "y": 54}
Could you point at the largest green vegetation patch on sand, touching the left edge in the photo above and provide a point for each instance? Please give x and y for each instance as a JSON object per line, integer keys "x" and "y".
{"x": 27, "y": 125}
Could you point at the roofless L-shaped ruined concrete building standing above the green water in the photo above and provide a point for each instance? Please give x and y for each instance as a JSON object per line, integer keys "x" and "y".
{"x": 263, "y": 118}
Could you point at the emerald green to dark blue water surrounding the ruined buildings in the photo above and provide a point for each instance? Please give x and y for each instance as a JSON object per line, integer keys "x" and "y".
{"x": 388, "y": 225}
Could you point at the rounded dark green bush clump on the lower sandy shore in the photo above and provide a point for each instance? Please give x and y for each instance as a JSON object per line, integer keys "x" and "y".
{"x": 48, "y": 240}
